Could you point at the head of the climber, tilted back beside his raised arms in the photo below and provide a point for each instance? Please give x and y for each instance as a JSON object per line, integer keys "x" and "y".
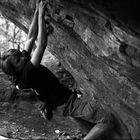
{"x": 12, "y": 62}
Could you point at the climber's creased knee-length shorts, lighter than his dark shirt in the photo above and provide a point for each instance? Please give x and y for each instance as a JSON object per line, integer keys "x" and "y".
{"x": 88, "y": 110}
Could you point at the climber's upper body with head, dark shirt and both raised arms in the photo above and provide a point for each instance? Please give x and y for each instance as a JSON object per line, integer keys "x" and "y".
{"x": 27, "y": 71}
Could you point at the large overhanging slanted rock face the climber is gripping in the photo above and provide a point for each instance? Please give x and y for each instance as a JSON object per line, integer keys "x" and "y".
{"x": 98, "y": 43}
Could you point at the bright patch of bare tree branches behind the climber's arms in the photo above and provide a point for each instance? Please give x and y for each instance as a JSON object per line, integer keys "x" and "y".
{"x": 11, "y": 36}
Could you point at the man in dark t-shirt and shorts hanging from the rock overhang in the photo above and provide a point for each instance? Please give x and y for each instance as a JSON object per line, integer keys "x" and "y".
{"x": 30, "y": 76}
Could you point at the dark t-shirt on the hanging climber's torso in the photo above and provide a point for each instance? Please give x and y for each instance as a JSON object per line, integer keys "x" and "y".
{"x": 44, "y": 82}
